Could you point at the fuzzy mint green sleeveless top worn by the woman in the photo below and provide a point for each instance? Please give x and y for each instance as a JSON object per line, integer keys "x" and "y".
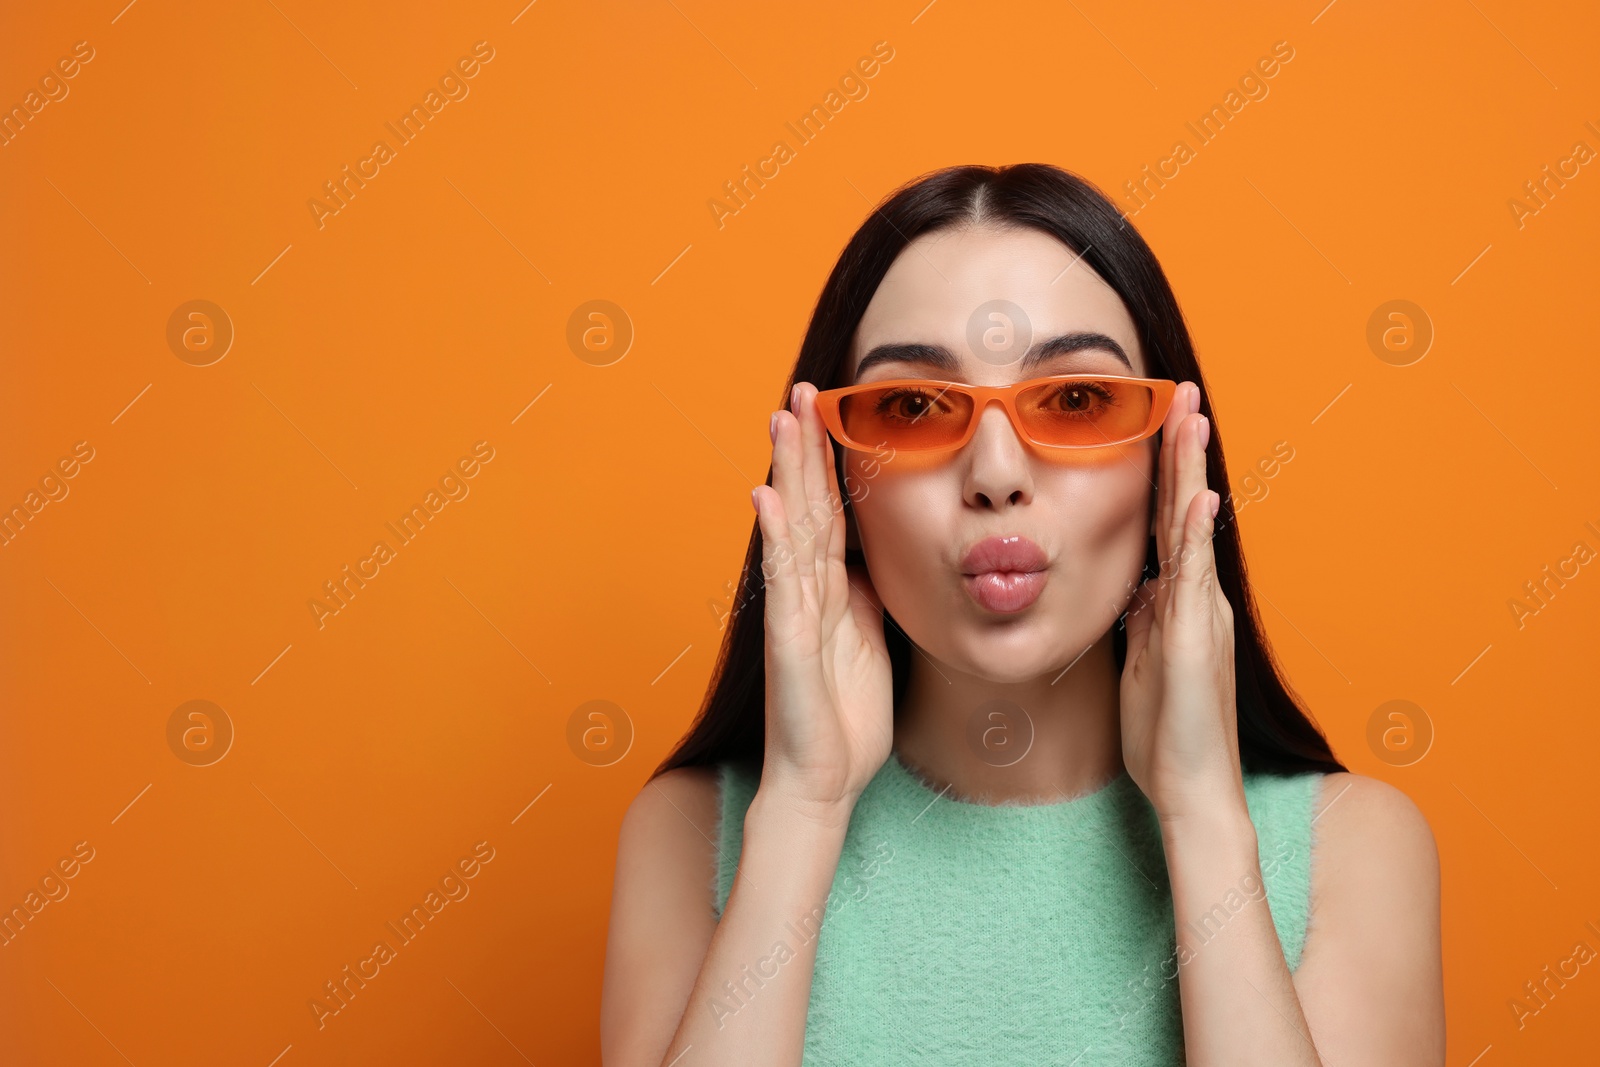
{"x": 967, "y": 933}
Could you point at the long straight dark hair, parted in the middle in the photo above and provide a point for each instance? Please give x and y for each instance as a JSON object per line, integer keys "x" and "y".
{"x": 1276, "y": 735}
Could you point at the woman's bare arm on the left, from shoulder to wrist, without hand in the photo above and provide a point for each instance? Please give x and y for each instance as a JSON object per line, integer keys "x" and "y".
{"x": 684, "y": 989}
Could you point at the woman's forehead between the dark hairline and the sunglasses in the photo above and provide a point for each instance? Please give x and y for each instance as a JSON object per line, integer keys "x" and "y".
{"x": 948, "y": 287}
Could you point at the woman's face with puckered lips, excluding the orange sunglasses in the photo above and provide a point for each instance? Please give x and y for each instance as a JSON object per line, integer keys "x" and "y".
{"x": 918, "y": 516}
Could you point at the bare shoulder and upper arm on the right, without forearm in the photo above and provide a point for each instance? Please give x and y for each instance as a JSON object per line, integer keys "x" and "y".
{"x": 1372, "y": 972}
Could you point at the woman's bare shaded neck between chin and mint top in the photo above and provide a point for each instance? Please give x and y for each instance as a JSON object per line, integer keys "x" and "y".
{"x": 1036, "y": 741}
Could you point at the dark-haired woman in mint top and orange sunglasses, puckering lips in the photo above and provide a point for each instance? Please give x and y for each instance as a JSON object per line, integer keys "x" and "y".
{"x": 969, "y": 785}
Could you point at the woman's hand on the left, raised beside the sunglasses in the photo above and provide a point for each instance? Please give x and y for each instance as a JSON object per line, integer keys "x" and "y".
{"x": 830, "y": 685}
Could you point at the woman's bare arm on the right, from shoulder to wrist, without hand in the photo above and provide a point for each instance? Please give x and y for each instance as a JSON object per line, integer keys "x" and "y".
{"x": 1370, "y": 985}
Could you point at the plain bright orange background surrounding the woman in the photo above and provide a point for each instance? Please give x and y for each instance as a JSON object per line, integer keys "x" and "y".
{"x": 591, "y": 557}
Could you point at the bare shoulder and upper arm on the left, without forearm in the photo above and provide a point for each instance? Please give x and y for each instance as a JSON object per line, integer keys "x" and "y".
{"x": 663, "y": 913}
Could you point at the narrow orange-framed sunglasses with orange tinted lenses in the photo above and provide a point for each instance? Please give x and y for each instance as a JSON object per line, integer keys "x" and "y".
{"x": 1055, "y": 412}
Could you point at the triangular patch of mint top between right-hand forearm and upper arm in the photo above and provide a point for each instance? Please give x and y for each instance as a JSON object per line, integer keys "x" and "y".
{"x": 1284, "y": 810}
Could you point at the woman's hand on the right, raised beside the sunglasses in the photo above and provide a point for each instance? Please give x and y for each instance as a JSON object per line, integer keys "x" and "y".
{"x": 1180, "y": 732}
